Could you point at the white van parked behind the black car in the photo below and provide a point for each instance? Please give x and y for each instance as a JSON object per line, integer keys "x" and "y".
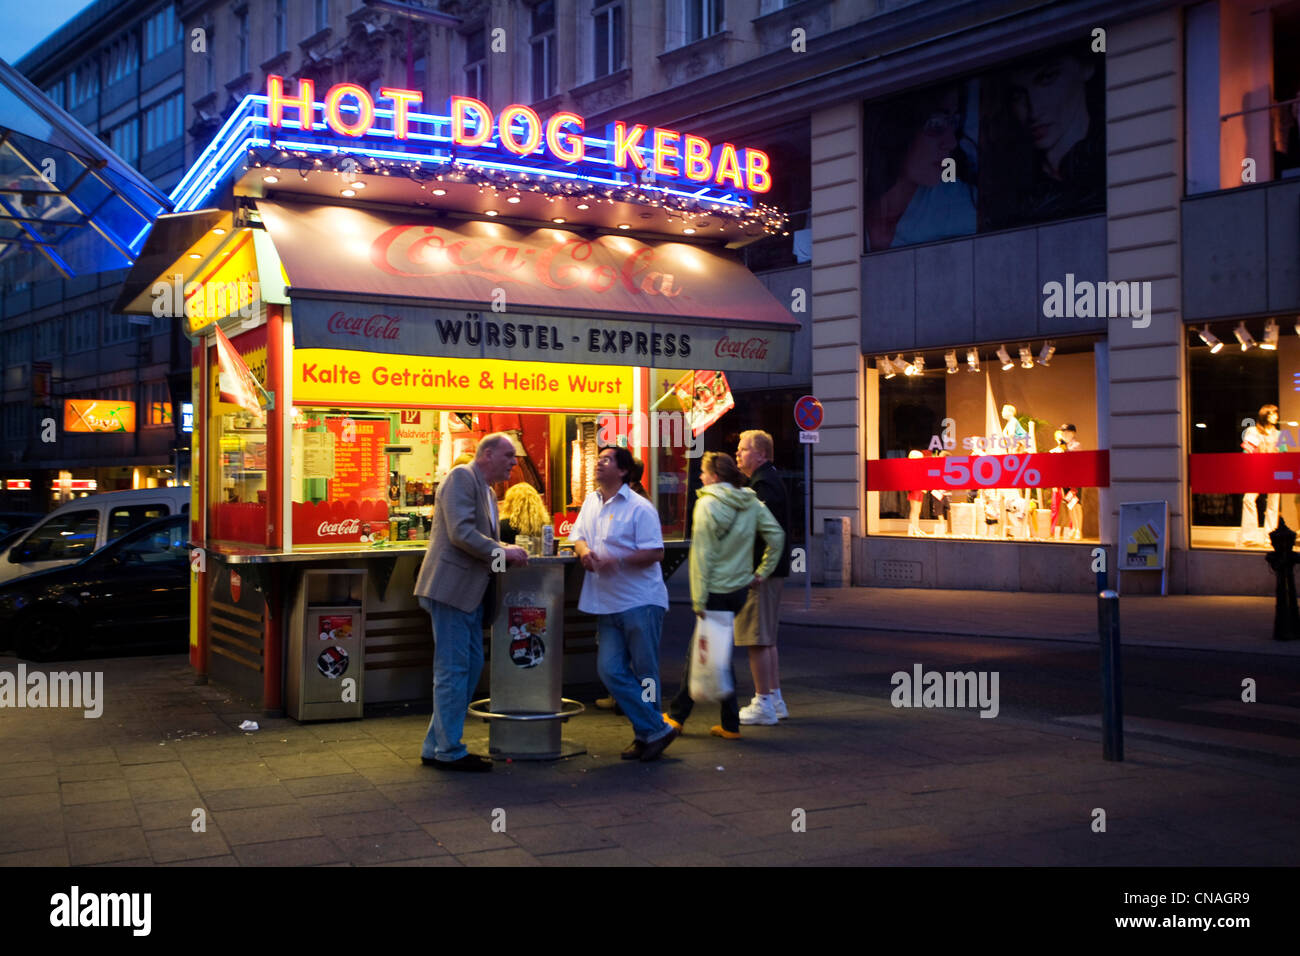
{"x": 84, "y": 526}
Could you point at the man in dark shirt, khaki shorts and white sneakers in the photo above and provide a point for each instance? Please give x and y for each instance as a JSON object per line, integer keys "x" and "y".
{"x": 757, "y": 621}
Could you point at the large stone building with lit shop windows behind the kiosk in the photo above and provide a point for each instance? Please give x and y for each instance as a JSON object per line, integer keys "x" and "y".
{"x": 1063, "y": 228}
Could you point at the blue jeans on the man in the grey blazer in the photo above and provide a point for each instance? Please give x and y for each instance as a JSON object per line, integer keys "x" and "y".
{"x": 458, "y": 660}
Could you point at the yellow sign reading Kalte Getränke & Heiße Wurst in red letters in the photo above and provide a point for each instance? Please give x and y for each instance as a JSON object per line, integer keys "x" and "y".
{"x": 337, "y": 377}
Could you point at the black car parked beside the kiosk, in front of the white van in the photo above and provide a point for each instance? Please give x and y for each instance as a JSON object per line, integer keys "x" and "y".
{"x": 136, "y": 590}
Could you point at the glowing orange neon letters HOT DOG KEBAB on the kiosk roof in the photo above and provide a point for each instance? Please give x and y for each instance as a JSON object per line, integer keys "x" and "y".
{"x": 518, "y": 131}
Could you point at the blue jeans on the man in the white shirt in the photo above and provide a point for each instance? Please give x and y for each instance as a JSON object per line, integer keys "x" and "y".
{"x": 627, "y": 656}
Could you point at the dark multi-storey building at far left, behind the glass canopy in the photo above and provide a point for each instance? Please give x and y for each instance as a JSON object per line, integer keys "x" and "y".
{"x": 118, "y": 70}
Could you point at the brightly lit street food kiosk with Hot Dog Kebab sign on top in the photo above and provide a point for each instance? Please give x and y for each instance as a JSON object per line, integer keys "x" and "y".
{"x": 371, "y": 289}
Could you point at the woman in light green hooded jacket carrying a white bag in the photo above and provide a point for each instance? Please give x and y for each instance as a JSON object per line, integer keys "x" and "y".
{"x": 726, "y": 522}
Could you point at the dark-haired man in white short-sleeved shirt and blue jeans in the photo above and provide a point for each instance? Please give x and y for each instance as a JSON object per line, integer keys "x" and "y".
{"x": 619, "y": 542}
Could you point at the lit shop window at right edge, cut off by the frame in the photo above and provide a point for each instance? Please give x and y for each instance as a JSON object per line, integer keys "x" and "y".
{"x": 1245, "y": 425}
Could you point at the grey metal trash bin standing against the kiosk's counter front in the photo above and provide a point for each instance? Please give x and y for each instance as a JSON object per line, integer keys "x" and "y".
{"x": 327, "y": 647}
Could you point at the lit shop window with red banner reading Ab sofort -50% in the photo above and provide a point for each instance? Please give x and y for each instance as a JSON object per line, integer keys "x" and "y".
{"x": 972, "y": 444}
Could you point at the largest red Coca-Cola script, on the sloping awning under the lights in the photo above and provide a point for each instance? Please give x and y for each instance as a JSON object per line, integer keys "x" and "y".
{"x": 414, "y": 252}
